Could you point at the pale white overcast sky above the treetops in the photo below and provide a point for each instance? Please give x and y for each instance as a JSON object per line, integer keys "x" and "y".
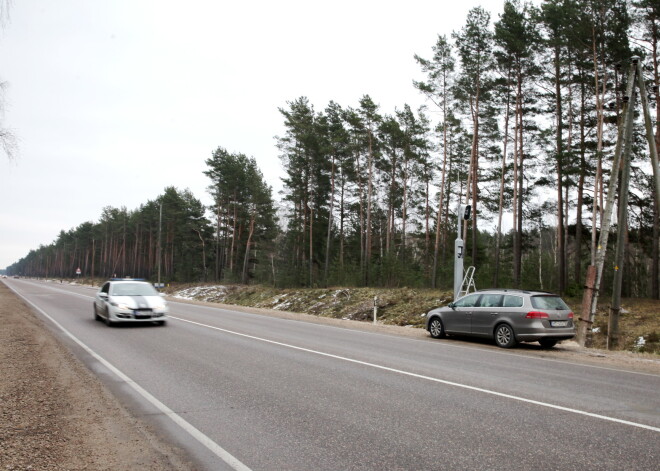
{"x": 114, "y": 100}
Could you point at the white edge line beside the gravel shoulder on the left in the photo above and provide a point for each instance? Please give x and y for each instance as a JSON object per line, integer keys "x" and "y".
{"x": 220, "y": 452}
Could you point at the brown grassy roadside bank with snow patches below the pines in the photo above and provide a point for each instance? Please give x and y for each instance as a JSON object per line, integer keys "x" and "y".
{"x": 640, "y": 318}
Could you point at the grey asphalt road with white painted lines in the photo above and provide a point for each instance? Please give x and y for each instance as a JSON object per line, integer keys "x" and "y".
{"x": 248, "y": 391}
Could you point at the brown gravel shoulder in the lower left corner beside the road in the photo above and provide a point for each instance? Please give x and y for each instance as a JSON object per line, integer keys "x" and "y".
{"x": 55, "y": 415}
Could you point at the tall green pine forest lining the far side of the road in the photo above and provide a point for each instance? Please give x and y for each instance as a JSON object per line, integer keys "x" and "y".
{"x": 521, "y": 122}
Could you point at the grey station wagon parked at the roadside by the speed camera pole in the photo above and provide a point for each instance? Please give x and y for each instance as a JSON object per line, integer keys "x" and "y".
{"x": 508, "y": 316}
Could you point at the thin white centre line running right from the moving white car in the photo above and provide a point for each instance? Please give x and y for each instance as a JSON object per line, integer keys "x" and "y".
{"x": 428, "y": 378}
